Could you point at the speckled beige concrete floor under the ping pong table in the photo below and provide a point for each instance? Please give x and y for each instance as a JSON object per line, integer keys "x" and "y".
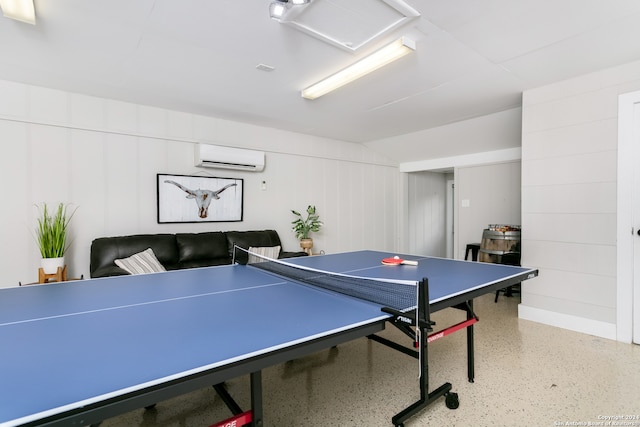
{"x": 527, "y": 374}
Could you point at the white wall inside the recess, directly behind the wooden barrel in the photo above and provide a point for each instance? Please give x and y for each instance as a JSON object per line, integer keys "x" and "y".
{"x": 485, "y": 194}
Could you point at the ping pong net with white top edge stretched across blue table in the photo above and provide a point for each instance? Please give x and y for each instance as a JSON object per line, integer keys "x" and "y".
{"x": 401, "y": 295}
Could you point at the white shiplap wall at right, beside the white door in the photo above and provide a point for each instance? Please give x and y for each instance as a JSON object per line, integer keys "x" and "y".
{"x": 569, "y": 168}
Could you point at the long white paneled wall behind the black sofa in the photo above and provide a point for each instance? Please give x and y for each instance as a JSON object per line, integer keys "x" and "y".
{"x": 103, "y": 156}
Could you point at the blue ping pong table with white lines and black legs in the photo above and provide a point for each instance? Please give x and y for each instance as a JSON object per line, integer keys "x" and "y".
{"x": 76, "y": 353}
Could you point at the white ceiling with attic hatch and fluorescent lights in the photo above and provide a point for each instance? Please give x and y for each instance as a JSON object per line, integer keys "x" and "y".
{"x": 473, "y": 58}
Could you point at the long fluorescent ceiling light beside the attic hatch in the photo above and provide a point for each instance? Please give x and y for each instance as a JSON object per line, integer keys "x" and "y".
{"x": 378, "y": 59}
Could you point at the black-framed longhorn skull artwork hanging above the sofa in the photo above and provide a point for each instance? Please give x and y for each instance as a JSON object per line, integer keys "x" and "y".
{"x": 186, "y": 198}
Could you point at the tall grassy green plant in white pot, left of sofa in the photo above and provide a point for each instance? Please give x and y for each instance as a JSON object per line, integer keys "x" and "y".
{"x": 51, "y": 235}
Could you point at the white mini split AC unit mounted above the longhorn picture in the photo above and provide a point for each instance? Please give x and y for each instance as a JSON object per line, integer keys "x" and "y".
{"x": 214, "y": 156}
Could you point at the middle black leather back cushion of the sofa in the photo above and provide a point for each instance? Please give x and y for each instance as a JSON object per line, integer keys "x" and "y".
{"x": 201, "y": 246}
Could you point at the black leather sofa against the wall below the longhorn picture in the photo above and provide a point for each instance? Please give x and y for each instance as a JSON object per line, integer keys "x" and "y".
{"x": 182, "y": 250}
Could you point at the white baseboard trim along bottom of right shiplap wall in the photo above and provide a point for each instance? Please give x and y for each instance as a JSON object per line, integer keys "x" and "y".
{"x": 566, "y": 321}
